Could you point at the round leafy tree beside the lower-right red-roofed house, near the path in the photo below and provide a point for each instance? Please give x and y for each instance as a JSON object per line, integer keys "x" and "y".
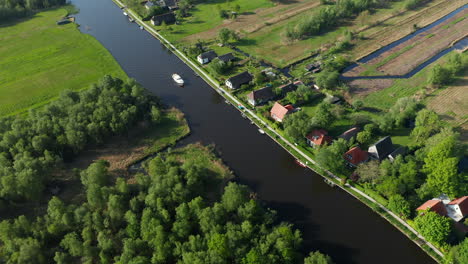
{"x": 433, "y": 227}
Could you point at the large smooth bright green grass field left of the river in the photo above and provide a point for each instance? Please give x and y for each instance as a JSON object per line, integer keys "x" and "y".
{"x": 39, "y": 59}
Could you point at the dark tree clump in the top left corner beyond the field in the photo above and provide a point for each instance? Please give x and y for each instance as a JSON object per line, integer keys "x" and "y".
{"x": 12, "y": 9}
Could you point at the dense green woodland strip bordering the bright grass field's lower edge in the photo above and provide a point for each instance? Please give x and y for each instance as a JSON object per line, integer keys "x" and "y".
{"x": 32, "y": 147}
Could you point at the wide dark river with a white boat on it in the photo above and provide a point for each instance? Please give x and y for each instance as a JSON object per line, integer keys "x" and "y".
{"x": 331, "y": 220}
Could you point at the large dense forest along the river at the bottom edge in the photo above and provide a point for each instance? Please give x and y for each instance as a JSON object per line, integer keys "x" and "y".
{"x": 173, "y": 212}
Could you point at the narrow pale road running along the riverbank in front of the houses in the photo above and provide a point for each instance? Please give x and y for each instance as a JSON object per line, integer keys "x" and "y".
{"x": 254, "y": 116}
